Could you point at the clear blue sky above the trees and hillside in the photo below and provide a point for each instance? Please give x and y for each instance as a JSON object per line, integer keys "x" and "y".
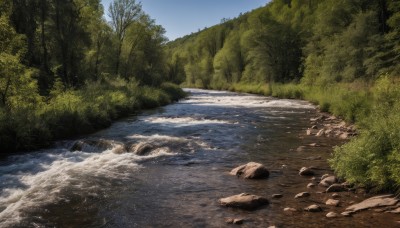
{"x": 182, "y": 17}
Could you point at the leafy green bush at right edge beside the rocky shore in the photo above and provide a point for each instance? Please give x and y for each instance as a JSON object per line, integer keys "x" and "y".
{"x": 372, "y": 159}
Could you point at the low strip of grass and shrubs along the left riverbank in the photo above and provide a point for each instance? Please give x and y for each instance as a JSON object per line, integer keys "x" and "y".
{"x": 73, "y": 112}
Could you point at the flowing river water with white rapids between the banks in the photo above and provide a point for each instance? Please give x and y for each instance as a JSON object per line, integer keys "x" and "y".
{"x": 194, "y": 144}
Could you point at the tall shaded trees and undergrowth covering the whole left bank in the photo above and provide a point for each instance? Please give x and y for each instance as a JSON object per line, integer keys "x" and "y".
{"x": 65, "y": 70}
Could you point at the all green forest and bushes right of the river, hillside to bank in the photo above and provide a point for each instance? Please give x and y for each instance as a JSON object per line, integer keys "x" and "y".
{"x": 342, "y": 55}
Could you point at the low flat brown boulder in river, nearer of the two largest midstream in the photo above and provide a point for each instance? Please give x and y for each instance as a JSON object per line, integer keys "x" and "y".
{"x": 244, "y": 201}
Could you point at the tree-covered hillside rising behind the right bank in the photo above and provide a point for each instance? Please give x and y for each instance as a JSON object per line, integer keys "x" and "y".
{"x": 315, "y": 42}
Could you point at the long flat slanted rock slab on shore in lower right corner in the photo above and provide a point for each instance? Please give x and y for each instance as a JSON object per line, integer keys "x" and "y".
{"x": 377, "y": 201}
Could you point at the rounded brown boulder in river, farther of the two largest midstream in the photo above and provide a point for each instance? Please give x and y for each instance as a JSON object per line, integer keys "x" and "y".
{"x": 251, "y": 170}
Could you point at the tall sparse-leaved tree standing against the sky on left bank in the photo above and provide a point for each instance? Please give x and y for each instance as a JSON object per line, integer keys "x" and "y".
{"x": 123, "y": 13}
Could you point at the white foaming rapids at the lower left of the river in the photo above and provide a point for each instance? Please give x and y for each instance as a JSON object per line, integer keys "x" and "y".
{"x": 39, "y": 179}
